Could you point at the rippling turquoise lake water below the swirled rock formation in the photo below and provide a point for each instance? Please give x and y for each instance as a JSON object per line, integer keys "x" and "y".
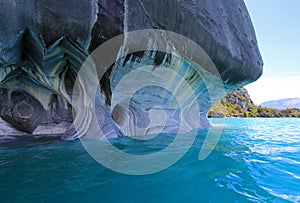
{"x": 256, "y": 160}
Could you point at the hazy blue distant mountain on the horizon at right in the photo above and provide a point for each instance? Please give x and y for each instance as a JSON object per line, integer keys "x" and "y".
{"x": 283, "y": 104}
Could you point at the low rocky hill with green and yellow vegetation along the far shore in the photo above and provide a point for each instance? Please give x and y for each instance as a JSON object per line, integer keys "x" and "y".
{"x": 239, "y": 104}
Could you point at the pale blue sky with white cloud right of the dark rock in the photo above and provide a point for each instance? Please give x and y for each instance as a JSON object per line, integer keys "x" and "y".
{"x": 277, "y": 27}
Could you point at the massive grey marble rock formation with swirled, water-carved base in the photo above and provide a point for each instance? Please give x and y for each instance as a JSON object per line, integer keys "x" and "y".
{"x": 43, "y": 44}
